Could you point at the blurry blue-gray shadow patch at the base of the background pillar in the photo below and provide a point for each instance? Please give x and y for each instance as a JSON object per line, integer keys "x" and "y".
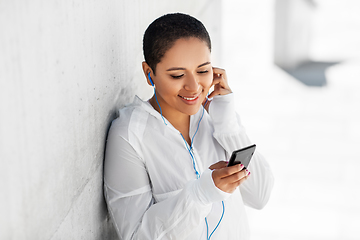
{"x": 311, "y": 73}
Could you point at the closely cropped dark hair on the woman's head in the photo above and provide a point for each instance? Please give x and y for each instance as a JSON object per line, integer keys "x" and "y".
{"x": 163, "y": 32}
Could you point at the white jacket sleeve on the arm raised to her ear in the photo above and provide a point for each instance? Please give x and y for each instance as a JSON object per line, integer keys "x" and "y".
{"x": 231, "y": 135}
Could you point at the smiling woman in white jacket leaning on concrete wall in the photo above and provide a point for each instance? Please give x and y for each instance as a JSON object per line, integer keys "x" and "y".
{"x": 166, "y": 175}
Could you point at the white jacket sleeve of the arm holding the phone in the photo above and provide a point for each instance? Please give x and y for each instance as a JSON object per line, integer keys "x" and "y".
{"x": 130, "y": 202}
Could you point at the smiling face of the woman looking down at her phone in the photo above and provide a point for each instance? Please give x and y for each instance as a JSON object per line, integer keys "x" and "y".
{"x": 183, "y": 77}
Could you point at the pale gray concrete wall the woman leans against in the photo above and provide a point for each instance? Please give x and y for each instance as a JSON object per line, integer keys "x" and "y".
{"x": 65, "y": 69}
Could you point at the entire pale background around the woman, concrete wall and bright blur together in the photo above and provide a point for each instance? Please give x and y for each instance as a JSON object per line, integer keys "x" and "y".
{"x": 66, "y": 67}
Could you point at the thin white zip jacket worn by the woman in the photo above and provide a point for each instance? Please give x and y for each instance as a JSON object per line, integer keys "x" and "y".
{"x": 150, "y": 182}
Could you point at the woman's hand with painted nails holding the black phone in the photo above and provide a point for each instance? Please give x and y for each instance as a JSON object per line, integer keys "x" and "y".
{"x": 226, "y": 178}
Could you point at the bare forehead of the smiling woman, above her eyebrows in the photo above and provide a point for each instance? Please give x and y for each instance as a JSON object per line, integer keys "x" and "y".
{"x": 186, "y": 53}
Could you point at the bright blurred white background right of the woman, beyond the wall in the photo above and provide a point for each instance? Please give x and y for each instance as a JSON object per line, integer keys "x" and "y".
{"x": 295, "y": 66}
